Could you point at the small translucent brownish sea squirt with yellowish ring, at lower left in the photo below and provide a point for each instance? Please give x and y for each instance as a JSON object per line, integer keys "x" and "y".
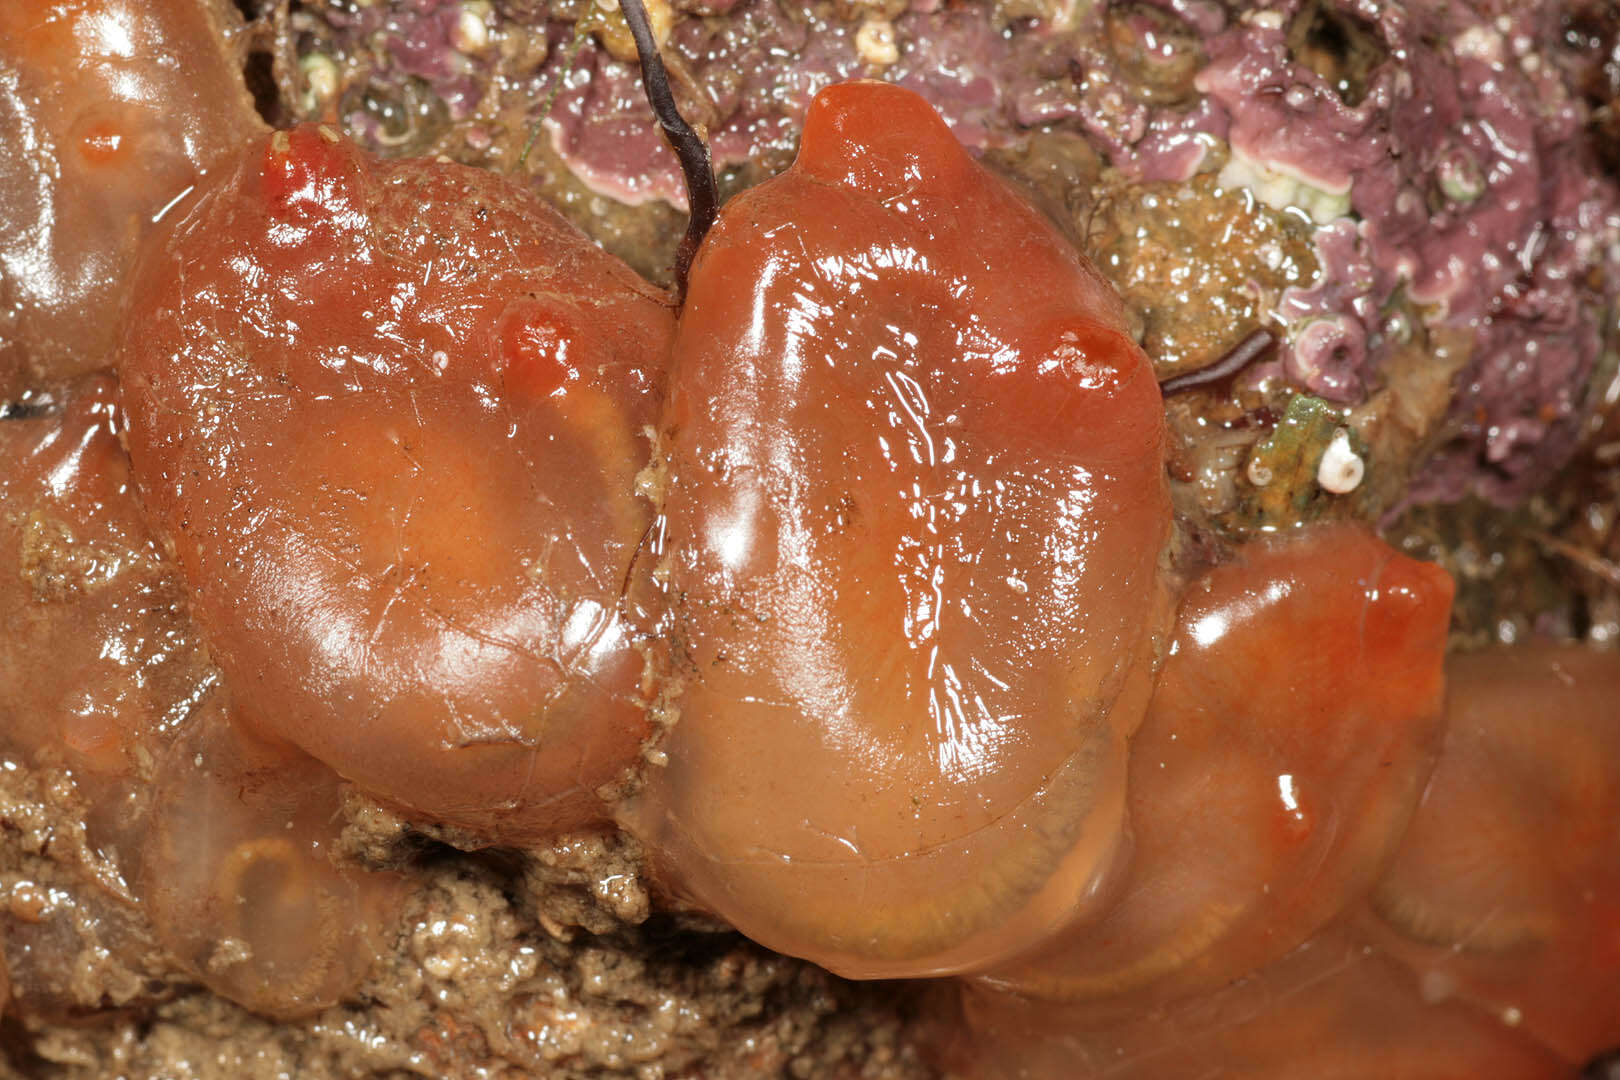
{"x": 257, "y": 904}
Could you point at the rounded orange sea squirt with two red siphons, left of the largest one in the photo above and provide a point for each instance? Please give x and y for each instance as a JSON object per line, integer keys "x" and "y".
{"x": 391, "y": 419}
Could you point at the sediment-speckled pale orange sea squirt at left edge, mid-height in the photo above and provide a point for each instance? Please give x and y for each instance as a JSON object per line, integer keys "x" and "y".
{"x": 100, "y": 663}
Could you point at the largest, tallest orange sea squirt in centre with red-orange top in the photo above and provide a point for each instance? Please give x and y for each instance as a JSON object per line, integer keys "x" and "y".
{"x": 913, "y": 527}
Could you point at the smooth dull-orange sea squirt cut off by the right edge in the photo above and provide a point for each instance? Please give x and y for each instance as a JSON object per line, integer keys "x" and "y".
{"x": 1507, "y": 888}
